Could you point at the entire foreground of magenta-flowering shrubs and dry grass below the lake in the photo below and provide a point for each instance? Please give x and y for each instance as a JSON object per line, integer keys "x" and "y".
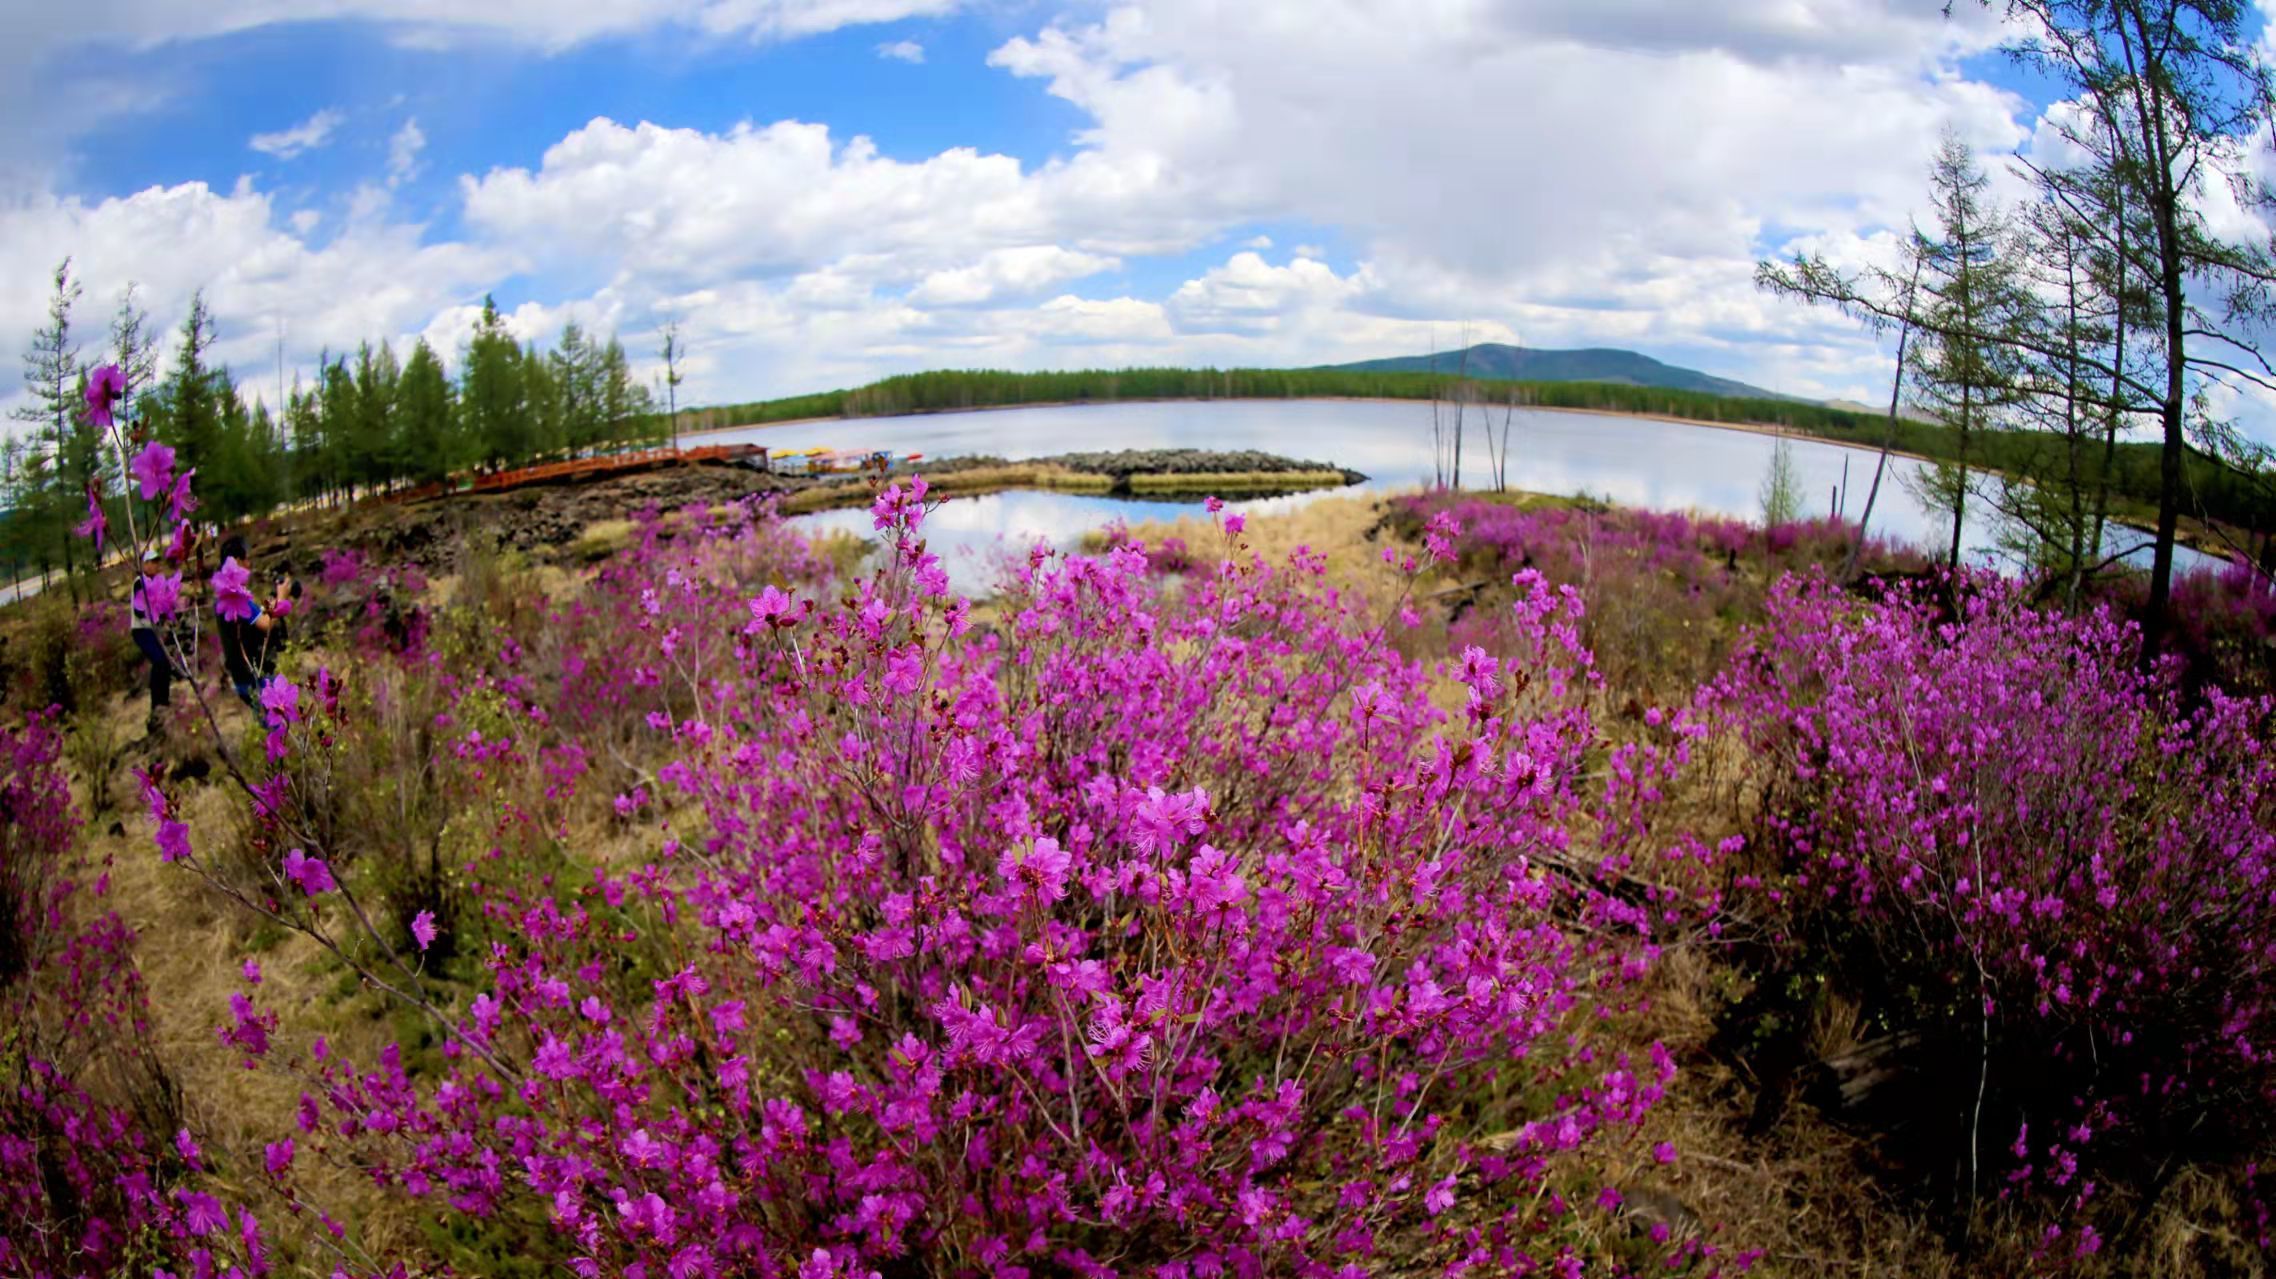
{"x": 716, "y": 911}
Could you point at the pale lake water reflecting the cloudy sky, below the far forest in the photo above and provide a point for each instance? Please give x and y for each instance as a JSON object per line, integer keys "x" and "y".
{"x": 1647, "y": 463}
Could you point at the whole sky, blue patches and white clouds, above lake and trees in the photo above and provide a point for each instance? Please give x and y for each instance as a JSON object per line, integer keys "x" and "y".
{"x": 1039, "y": 185}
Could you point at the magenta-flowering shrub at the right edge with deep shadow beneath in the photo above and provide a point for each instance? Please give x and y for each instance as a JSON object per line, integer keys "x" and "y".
{"x": 2061, "y": 873}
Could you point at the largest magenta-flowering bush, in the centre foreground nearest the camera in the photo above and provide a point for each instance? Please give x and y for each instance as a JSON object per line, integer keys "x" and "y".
{"x": 1132, "y": 932}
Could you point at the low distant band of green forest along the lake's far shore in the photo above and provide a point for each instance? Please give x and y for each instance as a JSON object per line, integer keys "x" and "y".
{"x": 2220, "y": 490}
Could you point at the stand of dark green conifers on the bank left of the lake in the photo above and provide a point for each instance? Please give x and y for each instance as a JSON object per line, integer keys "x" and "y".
{"x": 368, "y": 424}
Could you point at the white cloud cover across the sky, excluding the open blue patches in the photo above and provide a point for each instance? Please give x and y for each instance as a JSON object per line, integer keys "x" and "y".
{"x": 1574, "y": 172}
